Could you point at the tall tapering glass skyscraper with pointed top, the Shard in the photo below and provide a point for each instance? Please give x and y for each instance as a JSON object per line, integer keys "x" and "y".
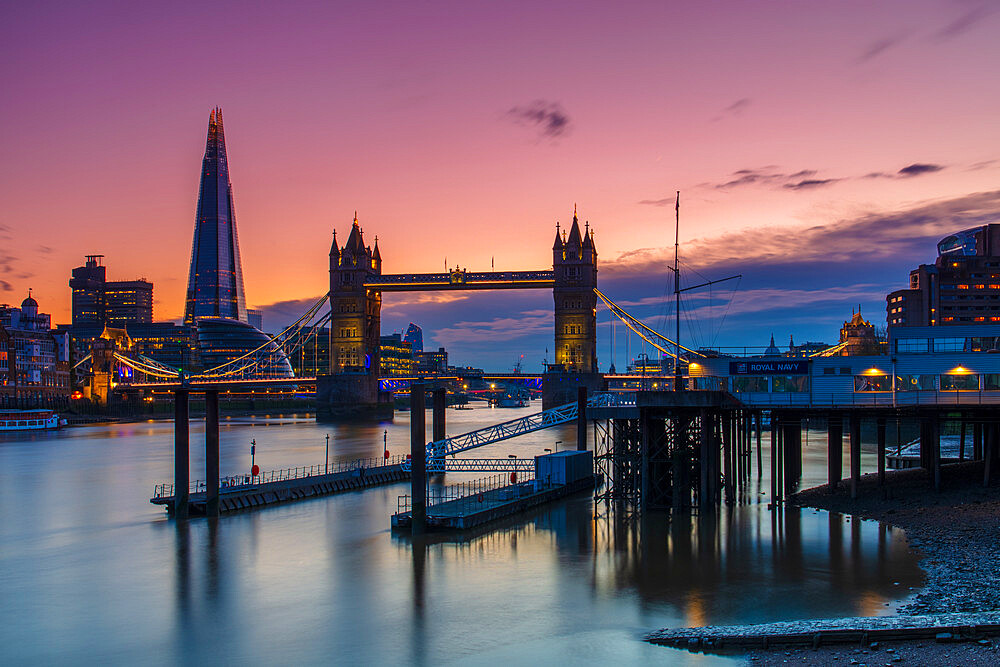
{"x": 215, "y": 283}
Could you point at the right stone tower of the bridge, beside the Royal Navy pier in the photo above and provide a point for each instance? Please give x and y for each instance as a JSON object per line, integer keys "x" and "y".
{"x": 574, "y": 267}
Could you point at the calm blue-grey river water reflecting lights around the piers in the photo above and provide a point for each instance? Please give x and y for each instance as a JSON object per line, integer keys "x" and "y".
{"x": 90, "y": 571}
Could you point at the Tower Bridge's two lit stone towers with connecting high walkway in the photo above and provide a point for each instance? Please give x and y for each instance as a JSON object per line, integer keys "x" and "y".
{"x": 352, "y": 389}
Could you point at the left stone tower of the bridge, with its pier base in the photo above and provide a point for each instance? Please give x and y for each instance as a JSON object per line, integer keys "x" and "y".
{"x": 352, "y": 383}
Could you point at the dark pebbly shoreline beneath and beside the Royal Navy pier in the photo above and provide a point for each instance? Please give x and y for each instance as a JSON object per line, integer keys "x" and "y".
{"x": 957, "y": 533}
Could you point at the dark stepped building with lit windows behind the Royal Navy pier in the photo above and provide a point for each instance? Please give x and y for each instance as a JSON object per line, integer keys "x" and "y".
{"x": 961, "y": 287}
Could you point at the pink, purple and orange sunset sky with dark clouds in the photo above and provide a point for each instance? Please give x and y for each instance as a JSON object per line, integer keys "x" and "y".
{"x": 821, "y": 149}
